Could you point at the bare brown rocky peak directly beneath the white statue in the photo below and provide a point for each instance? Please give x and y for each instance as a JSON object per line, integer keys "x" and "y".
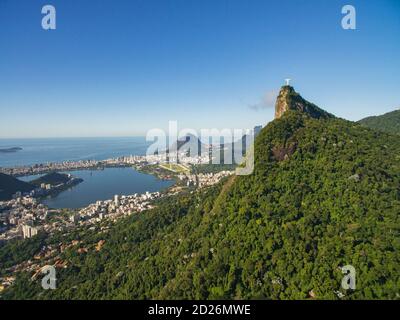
{"x": 289, "y": 99}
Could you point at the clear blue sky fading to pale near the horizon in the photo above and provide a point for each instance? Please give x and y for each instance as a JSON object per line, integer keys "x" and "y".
{"x": 120, "y": 68}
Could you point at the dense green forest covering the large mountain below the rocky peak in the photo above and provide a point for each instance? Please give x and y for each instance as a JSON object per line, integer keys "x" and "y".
{"x": 324, "y": 194}
